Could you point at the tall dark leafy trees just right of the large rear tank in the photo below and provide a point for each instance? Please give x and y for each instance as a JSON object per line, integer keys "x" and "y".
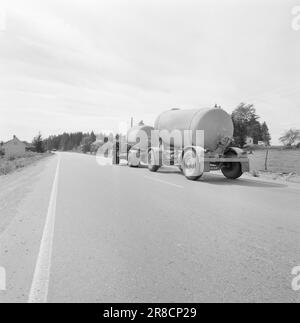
{"x": 246, "y": 124}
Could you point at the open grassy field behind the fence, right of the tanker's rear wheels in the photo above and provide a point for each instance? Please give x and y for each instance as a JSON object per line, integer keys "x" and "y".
{"x": 279, "y": 161}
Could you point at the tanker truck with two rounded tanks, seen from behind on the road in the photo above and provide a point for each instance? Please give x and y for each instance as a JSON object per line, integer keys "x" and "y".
{"x": 196, "y": 141}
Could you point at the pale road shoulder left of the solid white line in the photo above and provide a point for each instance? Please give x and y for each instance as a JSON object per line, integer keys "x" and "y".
{"x": 23, "y": 212}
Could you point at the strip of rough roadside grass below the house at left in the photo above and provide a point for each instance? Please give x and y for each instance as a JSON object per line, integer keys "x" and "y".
{"x": 11, "y": 164}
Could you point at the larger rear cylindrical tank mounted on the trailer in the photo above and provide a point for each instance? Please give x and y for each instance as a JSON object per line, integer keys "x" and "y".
{"x": 216, "y": 124}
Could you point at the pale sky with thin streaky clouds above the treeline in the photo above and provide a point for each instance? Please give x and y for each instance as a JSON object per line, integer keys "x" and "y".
{"x": 68, "y": 65}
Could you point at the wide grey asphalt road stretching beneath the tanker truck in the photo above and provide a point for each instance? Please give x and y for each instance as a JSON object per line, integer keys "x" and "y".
{"x": 118, "y": 234}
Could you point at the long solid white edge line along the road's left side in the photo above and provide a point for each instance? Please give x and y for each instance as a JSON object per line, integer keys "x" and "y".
{"x": 39, "y": 288}
